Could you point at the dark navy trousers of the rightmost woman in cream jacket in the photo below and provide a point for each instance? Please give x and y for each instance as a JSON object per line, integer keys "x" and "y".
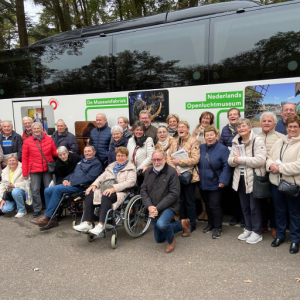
{"x": 282, "y": 205}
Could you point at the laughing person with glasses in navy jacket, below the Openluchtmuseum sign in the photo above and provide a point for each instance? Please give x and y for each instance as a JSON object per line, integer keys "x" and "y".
{"x": 228, "y": 133}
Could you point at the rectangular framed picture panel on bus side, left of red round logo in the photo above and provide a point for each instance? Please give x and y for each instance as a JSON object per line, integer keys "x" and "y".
{"x": 32, "y": 108}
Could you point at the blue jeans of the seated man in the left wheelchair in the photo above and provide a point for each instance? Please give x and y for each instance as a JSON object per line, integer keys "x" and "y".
{"x": 53, "y": 195}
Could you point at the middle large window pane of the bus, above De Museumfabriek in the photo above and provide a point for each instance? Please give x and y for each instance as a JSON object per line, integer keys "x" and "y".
{"x": 165, "y": 56}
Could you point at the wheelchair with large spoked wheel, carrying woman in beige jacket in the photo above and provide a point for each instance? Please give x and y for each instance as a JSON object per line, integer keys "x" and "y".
{"x": 131, "y": 214}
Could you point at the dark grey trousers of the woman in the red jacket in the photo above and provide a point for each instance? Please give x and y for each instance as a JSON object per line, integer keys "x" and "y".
{"x": 36, "y": 179}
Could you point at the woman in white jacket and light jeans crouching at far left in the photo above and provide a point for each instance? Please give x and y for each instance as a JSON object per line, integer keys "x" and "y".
{"x": 13, "y": 174}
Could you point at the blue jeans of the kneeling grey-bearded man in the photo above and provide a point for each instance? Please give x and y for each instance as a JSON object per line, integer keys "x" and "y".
{"x": 163, "y": 230}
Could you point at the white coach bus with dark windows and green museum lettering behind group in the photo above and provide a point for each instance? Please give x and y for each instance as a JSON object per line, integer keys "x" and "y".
{"x": 213, "y": 57}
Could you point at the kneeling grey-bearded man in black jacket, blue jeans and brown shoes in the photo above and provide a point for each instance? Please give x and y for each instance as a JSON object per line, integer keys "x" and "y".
{"x": 160, "y": 193}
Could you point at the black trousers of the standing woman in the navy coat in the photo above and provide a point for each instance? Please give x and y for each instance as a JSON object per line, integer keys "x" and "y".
{"x": 213, "y": 204}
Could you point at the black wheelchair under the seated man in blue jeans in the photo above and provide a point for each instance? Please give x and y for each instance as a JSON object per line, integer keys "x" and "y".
{"x": 68, "y": 202}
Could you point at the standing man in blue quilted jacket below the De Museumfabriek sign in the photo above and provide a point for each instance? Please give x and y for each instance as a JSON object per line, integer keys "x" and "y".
{"x": 100, "y": 138}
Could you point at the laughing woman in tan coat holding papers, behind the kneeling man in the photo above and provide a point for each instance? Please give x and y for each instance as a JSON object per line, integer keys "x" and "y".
{"x": 187, "y": 194}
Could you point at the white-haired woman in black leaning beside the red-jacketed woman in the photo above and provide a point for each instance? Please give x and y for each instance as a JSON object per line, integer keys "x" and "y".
{"x": 65, "y": 164}
